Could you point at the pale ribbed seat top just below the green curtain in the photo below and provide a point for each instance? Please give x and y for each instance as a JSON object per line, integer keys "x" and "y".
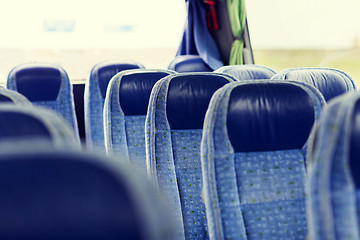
{"x": 247, "y": 72}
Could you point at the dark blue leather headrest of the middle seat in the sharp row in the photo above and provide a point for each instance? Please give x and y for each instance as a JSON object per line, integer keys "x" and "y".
{"x": 188, "y": 99}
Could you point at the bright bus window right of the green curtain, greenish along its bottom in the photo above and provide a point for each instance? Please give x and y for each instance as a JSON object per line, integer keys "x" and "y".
{"x": 310, "y": 33}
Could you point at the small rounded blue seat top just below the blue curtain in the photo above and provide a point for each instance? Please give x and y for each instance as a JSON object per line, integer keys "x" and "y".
{"x": 188, "y": 63}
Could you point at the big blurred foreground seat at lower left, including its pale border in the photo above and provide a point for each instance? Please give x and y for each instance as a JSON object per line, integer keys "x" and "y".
{"x": 63, "y": 195}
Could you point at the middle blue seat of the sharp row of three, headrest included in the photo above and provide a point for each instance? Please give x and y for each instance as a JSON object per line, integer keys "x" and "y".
{"x": 173, "y": 127}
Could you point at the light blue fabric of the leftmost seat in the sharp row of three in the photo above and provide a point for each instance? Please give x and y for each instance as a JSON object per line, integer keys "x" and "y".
{"x": 124, "y": 135}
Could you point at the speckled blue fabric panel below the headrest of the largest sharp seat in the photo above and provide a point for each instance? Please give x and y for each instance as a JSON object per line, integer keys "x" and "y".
{"x": 271, "y": 192}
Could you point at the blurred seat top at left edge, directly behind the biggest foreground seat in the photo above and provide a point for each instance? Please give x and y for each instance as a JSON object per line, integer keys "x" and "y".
{"x": 27, "y": 123}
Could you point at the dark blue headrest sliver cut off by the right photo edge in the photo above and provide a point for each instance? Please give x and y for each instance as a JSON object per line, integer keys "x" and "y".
{"x": 355, "y": 145}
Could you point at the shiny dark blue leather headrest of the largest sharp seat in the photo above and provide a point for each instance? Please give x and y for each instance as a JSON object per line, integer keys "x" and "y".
{"x": 268, "y": 117}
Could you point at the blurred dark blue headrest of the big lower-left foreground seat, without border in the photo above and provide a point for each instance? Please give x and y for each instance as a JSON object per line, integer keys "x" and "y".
{"x": 60, "y": 196}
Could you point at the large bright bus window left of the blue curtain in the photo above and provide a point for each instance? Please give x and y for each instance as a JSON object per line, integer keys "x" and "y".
{"x": 78, "y": 34}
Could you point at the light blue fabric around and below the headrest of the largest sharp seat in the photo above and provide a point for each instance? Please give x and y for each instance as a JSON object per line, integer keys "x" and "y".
{"x": 252, "y": 195}
